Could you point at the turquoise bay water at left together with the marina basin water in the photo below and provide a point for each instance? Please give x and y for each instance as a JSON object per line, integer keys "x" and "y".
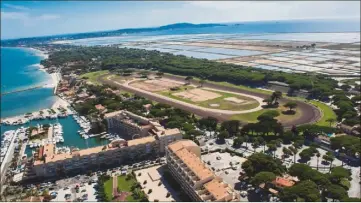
{"x": 19, "y": 69}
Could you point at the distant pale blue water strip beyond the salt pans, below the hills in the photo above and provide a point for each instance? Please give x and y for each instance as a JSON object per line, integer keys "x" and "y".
{"x": 335, "y": 30}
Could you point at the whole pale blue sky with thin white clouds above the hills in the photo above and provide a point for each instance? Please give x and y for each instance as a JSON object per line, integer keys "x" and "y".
{"x": 41, "y": 18}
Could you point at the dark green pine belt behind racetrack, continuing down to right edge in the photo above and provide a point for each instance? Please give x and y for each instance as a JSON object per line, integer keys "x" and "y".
{"x": 84, "y": 59}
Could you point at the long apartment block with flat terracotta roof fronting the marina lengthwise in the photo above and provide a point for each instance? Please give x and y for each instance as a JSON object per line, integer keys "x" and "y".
{"x": 115, "y": 153}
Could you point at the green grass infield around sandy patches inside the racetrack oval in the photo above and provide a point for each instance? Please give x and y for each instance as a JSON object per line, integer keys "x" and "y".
{"x": 223, "y": 104}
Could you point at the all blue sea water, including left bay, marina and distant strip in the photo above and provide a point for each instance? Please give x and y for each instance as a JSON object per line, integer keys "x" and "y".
{"x": 20, "y": 66}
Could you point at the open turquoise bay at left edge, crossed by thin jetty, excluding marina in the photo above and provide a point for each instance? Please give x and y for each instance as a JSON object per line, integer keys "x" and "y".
{"x": 19, "y": 69}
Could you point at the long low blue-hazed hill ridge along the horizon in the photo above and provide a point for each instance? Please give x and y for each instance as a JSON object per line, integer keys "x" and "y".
{"x": 45, "y": 39}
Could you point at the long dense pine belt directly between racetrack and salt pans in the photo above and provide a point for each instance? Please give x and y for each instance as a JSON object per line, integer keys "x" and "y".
{"x": 114, "y": 58}
